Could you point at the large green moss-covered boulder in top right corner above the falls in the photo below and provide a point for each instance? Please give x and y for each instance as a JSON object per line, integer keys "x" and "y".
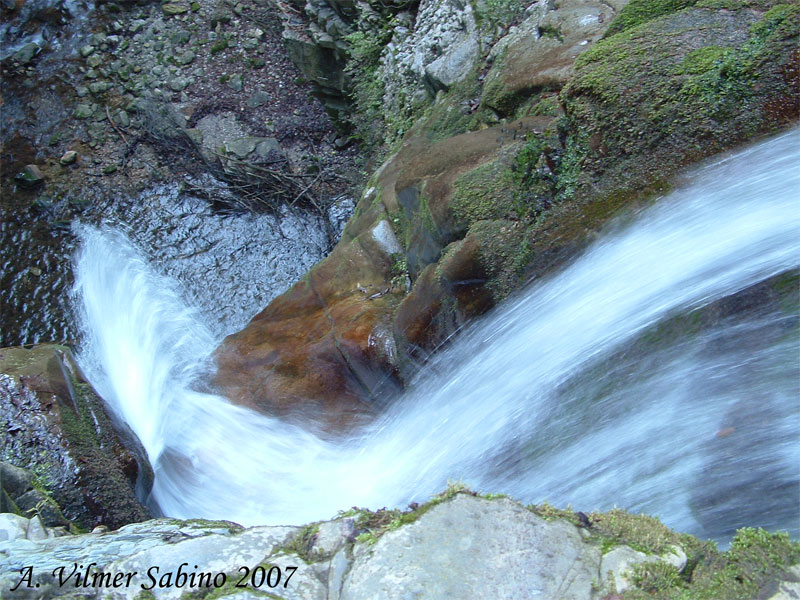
{"x": 672, "y": 90}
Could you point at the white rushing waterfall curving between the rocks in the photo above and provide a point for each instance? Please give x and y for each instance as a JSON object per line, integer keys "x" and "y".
{"x": 546, "y": 399}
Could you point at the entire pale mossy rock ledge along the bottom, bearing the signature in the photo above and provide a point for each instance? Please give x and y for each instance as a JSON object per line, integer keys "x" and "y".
{"x": 458, "y": 545}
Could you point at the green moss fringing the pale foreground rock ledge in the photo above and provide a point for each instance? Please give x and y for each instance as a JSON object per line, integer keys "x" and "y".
{"x": 753, "y": 567}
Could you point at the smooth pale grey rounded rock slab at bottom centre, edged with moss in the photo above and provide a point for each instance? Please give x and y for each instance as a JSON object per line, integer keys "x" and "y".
{"x": 520, "y": 556}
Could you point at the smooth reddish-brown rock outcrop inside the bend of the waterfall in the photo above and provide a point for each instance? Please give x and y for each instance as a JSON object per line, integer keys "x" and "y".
{"x": 338, "y": 340}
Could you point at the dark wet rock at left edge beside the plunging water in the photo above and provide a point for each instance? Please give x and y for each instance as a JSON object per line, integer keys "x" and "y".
{"x": 55, "y": 424}
